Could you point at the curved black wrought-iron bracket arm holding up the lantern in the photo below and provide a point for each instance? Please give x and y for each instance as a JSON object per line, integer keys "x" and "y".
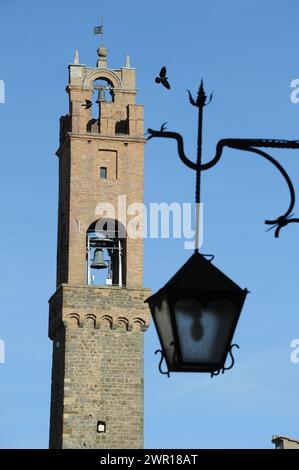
{"x": 242, "y": 144}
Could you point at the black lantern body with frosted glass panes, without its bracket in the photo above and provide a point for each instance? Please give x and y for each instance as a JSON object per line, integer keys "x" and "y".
{"x": 195, "y": 315}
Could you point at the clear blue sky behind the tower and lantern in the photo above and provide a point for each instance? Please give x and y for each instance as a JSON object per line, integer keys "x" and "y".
{"x": 247, "y": 52}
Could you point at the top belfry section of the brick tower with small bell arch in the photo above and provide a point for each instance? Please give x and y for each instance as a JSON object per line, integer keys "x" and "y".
{"x": 116, "y": 93}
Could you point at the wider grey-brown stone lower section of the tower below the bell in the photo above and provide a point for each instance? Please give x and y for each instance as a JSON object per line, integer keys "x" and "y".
{"x": 98, "y": 366}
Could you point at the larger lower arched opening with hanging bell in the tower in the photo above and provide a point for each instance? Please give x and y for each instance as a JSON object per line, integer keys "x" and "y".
{"x": 106, "y": 253}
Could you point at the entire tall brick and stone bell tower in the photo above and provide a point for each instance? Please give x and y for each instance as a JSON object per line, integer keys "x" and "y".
{"x": 97, "y": 314}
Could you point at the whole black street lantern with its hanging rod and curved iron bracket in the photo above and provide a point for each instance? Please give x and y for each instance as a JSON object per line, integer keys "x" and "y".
{"x": 197, "y": 311}
